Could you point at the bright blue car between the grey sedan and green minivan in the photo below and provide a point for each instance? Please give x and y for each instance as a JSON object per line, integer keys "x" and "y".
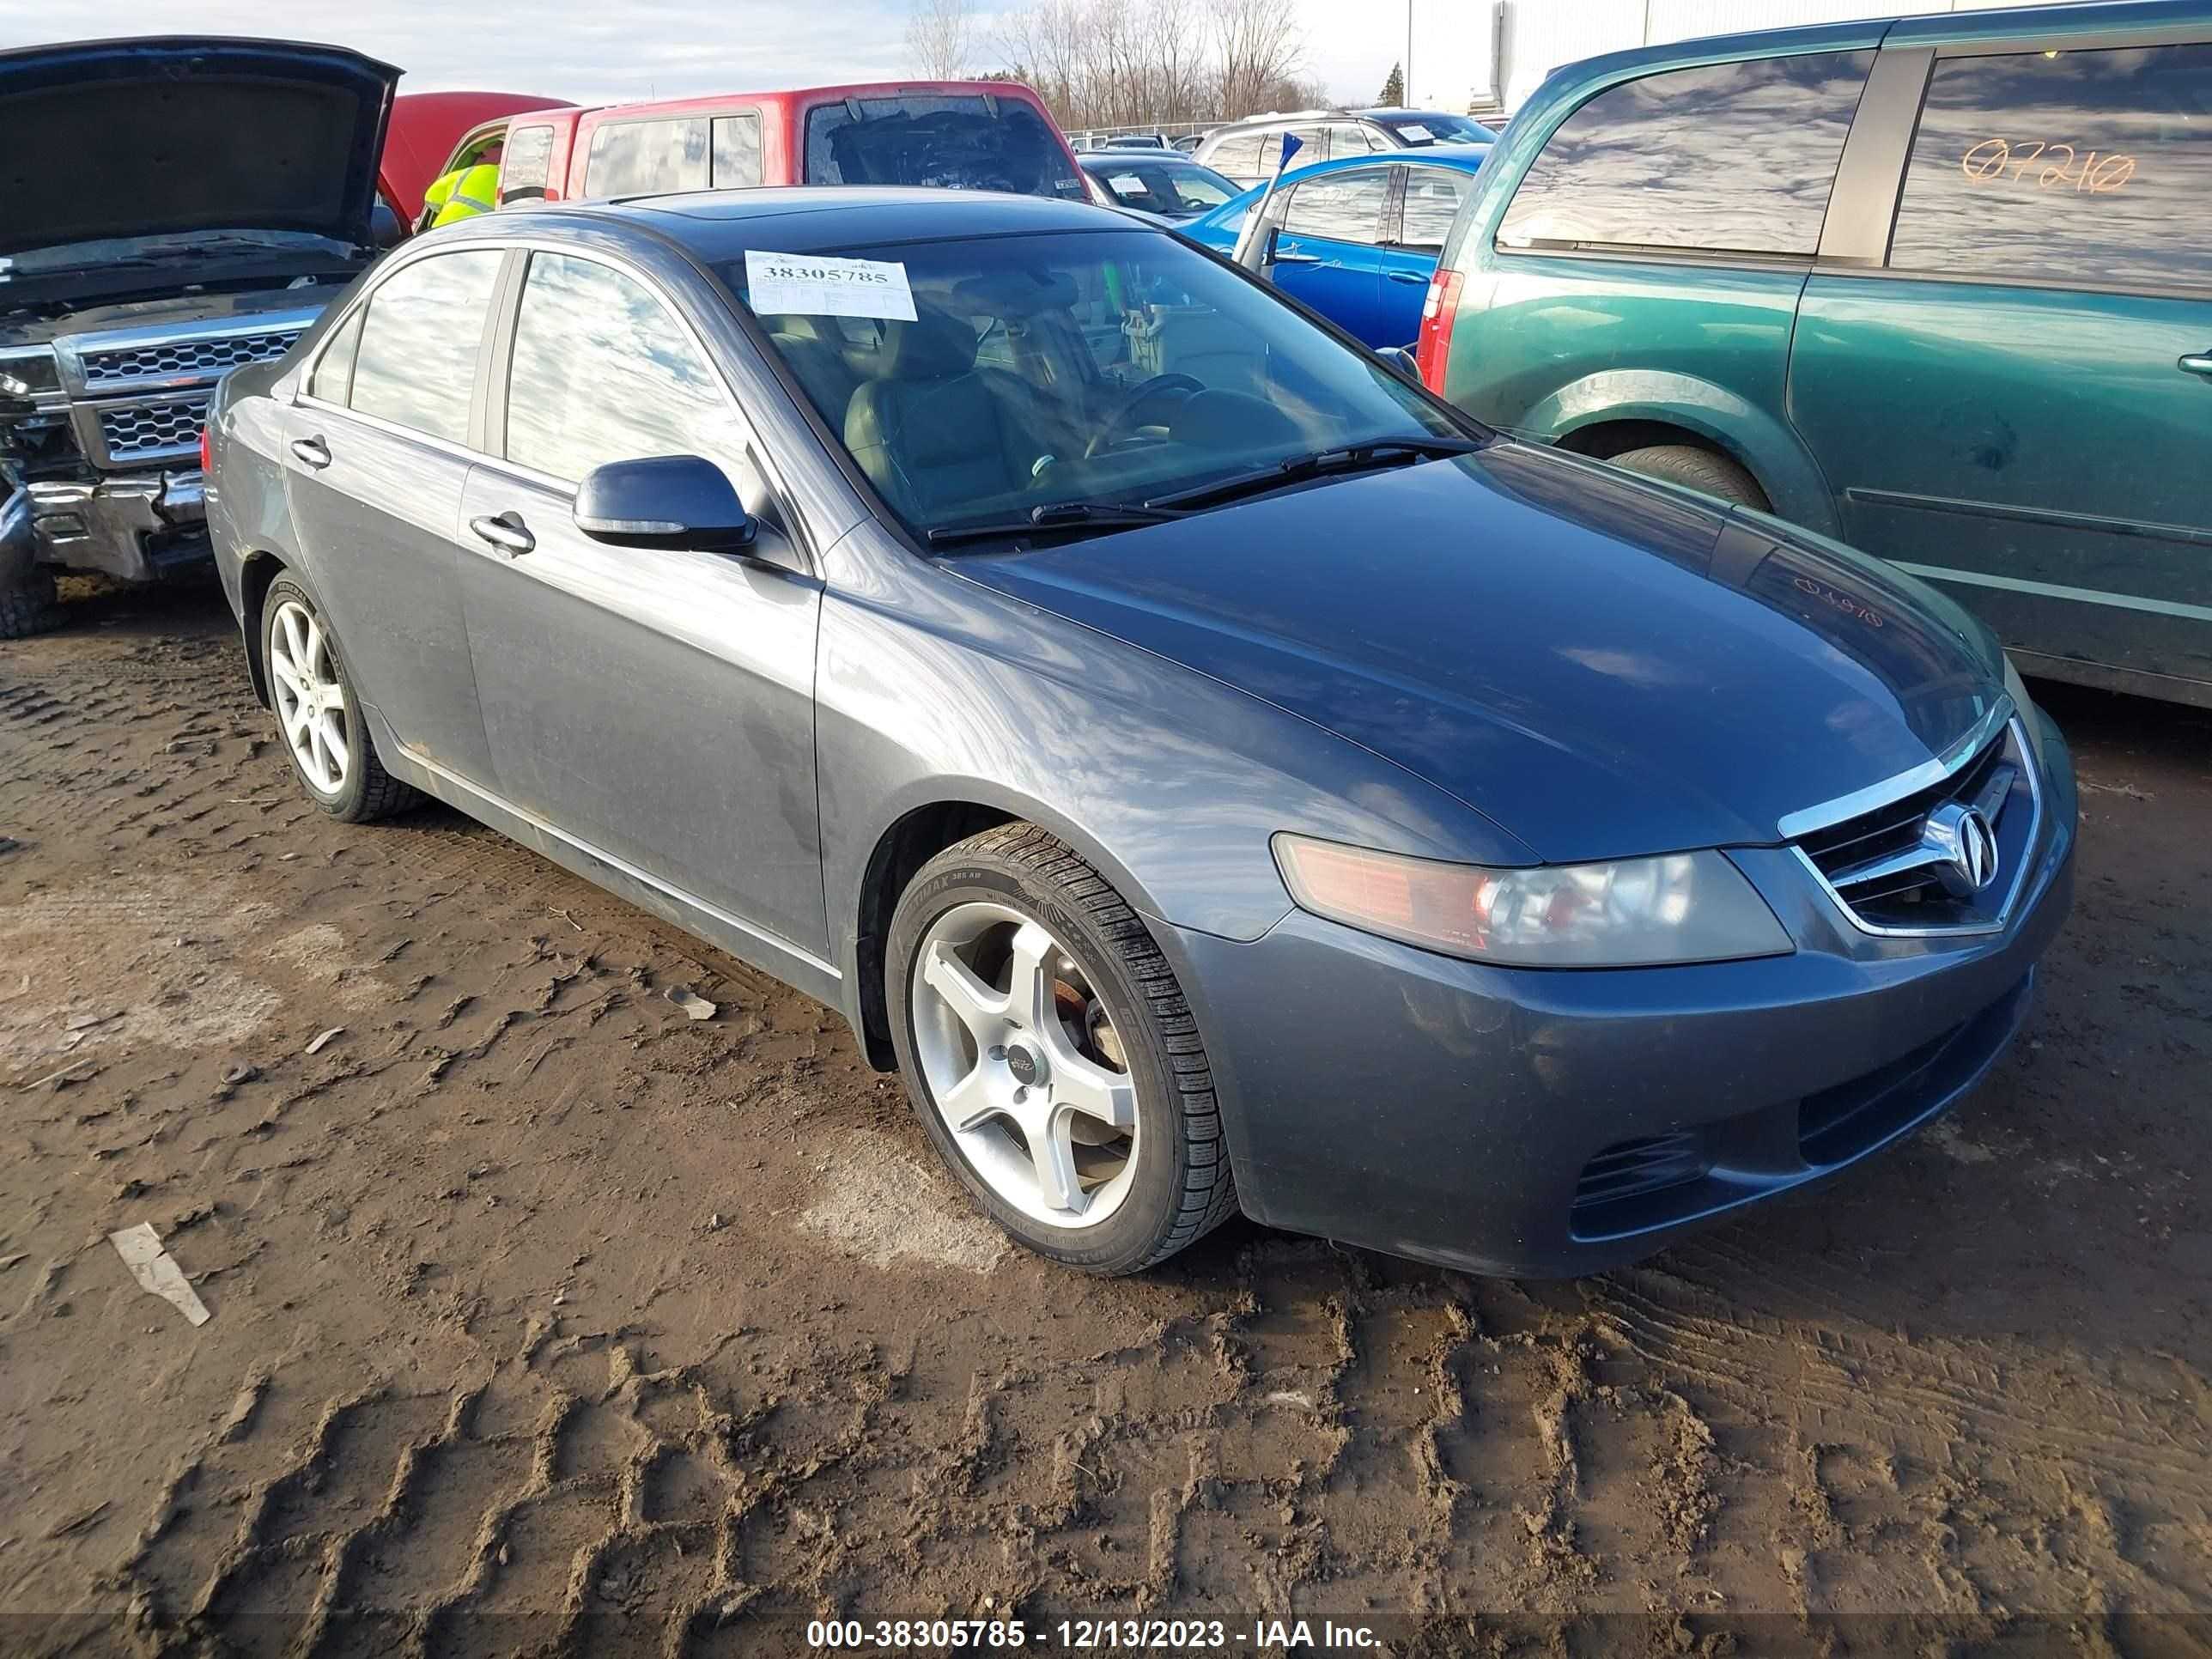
{"x": 1359, "y": 238}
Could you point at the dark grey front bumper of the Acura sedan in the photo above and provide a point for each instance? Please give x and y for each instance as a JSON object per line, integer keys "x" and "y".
{"x": 1563, "y": 1123}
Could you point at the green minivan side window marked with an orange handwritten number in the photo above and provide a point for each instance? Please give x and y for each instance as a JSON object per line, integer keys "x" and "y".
{"x": 2074, "y": 169}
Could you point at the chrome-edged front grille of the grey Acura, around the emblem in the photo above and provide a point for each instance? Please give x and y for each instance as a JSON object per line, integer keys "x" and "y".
{"x": 1892, "y": 870}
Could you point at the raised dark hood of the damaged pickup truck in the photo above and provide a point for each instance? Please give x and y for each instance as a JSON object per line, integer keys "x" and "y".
{"x": 169, "y": 136}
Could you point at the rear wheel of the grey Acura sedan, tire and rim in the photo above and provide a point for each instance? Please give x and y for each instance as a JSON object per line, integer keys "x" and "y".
{"x": 324, "y": 733}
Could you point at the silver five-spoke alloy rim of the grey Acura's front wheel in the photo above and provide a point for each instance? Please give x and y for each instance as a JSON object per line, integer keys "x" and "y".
{"x": 1025, "y": 1065}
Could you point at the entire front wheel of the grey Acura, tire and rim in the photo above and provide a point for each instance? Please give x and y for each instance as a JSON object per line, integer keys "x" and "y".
{"x": 1052, "y": 1058}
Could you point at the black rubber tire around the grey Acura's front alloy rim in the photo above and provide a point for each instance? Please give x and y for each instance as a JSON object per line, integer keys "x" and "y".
{"x": 1182, "y": 1187}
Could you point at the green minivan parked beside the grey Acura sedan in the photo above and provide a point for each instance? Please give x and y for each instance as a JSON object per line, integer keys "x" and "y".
{"x": 1937, "y": 286}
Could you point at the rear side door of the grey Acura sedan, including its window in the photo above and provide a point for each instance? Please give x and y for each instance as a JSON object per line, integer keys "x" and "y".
{"x": 379, "y": 450}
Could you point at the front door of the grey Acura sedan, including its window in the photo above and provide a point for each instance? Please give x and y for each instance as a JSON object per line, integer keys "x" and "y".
{"x": 651, "y": 705}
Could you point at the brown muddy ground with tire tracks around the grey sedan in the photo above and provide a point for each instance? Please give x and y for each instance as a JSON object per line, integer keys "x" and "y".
{"x": 547, "y": 1317}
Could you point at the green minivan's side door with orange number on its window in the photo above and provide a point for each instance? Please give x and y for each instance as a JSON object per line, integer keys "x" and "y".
{"x": 2016, "y": 399}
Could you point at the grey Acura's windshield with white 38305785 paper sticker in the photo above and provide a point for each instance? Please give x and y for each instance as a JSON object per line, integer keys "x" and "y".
{"x": 1070, "y": 371}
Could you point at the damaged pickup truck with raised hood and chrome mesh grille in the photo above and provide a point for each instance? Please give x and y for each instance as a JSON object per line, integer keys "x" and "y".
{"x": 169, "y": 209}
